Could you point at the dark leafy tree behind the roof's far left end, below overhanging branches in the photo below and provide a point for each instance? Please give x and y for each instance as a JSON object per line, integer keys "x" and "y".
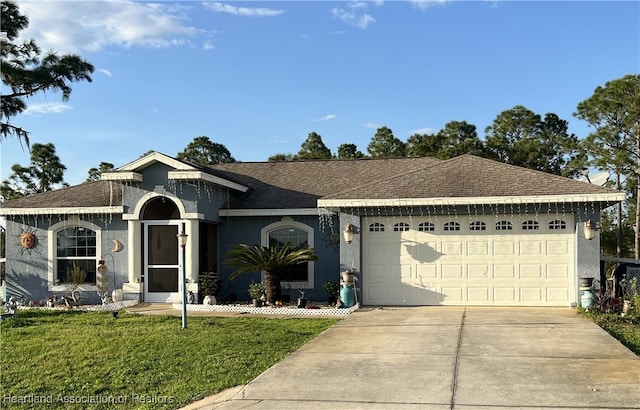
{"x": 42, "y": 175}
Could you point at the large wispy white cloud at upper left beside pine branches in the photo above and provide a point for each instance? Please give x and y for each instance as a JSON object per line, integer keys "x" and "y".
{"x": 73, "y": 26}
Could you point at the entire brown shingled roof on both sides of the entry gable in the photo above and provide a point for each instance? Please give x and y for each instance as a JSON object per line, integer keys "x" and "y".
{"x": 299, "y": 184}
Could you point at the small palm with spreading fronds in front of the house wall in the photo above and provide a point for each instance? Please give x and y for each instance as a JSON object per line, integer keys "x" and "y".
{"x": 270, "y": 259}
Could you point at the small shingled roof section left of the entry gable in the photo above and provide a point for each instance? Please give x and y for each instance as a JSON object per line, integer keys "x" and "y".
{"x": 86, "y": 195}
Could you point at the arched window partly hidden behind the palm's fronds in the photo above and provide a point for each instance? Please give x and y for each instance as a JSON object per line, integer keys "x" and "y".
{"x": 296, "y": 234}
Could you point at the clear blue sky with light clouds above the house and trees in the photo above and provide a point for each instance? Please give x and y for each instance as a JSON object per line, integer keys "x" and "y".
{"x": 258, "y": 77}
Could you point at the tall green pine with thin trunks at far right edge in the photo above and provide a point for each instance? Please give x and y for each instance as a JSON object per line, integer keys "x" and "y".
{"x": 614, "y": 112}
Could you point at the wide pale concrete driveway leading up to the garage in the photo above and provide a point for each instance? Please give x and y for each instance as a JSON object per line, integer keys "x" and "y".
{"x": 449, "y": 358}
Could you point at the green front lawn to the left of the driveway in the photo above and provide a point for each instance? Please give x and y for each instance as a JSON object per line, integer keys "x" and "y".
{"x": 89, "y": 360}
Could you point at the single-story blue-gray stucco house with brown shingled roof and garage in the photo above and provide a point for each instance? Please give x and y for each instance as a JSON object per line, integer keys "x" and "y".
{"x": 463, "y": 231}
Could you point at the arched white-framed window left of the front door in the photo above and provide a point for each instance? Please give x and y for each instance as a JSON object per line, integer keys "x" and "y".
{"x": 76, "y": 246}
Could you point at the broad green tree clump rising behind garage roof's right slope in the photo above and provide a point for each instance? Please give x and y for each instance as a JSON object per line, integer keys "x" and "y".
{"x": 519, "y": 136}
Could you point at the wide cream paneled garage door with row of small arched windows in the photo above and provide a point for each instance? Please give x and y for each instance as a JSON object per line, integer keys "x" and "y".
{"x": 489, "y": 260}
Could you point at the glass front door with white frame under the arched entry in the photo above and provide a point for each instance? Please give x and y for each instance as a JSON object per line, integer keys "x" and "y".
{"x": 162, "y": 267}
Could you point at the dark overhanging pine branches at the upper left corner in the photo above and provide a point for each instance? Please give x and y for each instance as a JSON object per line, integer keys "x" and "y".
{"x": 25, "y": 74}
